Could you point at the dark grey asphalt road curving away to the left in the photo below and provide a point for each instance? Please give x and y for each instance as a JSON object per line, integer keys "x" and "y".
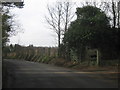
{"x": 25, "y": 74}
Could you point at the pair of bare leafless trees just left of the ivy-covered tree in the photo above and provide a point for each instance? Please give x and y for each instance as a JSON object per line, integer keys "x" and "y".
{"x": 60, "y": 16}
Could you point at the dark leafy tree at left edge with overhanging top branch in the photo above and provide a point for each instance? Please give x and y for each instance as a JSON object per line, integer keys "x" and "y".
{"x": 7, "y": 23}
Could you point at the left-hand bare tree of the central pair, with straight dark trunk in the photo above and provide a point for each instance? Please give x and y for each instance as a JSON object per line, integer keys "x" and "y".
{"x": 54, "y": 19}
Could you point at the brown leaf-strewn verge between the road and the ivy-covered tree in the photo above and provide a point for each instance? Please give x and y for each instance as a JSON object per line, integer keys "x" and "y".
{"x": 84, "y": 66}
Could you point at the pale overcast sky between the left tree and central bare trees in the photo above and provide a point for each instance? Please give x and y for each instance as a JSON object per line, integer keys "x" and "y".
{"x": 32, "y": 21}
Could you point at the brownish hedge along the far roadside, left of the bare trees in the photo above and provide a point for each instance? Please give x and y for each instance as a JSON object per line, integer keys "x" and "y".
{"x": 29, "y": 53}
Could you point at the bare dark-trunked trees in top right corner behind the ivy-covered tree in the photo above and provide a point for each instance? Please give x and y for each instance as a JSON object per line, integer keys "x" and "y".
{"x": 113, "y": 8}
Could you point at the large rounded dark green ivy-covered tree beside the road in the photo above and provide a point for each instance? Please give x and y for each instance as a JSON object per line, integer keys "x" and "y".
{"x": 92, "y": 29}
